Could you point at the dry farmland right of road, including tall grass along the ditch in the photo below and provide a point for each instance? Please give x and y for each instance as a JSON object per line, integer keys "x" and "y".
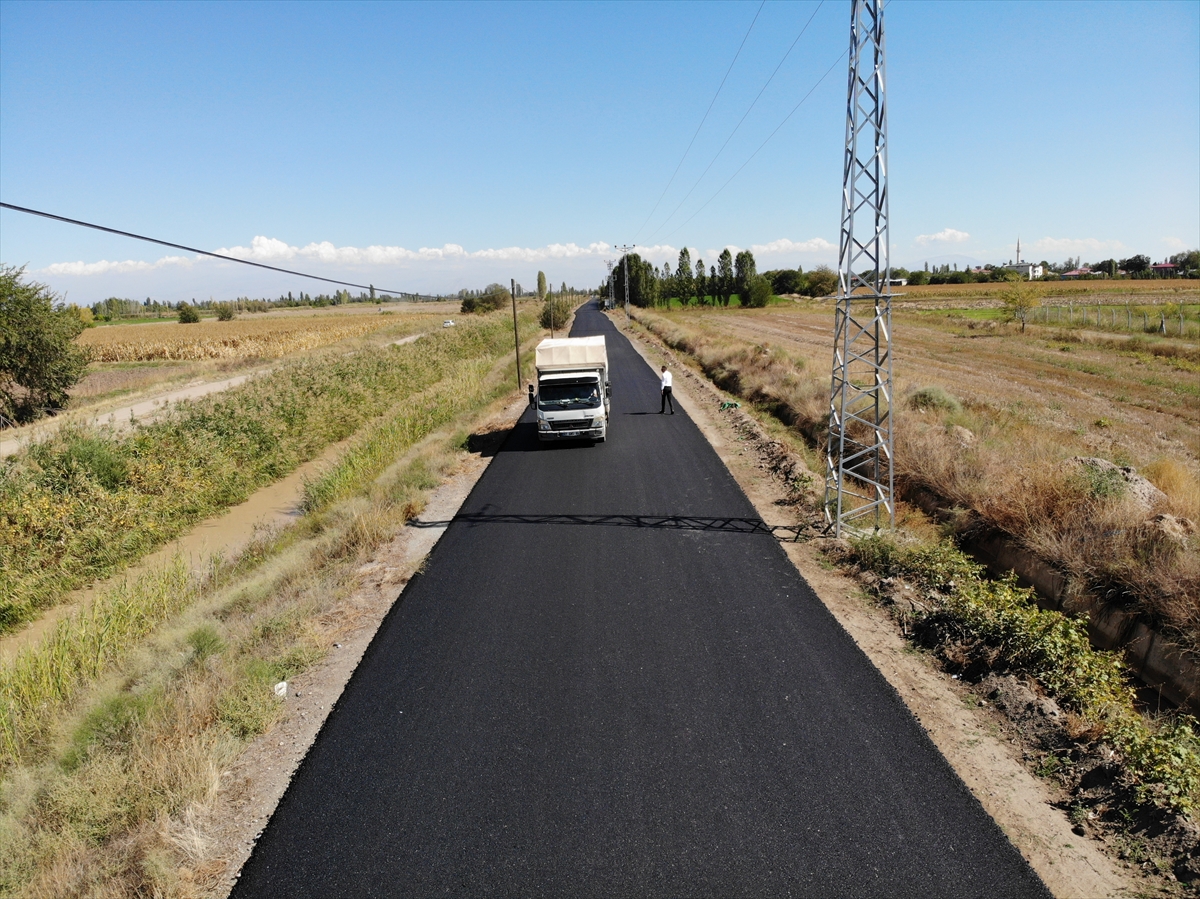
{"x": 989, "y": 419}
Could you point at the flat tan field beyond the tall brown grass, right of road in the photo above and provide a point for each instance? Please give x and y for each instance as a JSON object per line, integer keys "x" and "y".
{"x": 1145, "y": 395}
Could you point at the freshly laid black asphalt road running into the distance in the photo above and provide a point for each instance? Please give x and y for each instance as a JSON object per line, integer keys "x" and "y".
{"x": 652, "y": 704}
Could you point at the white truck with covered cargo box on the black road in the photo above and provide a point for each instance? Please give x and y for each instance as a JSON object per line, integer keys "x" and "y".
{"x": 572, "y": 398}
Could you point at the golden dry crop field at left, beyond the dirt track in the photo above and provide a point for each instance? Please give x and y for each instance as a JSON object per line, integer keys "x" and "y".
{"x": 269, "y": 338}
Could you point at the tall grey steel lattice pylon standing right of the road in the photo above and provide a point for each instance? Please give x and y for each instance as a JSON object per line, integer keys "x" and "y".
{"x": 859, "y": 456}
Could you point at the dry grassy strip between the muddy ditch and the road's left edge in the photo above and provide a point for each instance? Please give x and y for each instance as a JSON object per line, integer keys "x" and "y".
{"x": 118, "y": 724}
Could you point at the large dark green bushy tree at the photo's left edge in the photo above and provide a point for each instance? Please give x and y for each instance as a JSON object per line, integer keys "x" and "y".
{"x": 39, "y": 359}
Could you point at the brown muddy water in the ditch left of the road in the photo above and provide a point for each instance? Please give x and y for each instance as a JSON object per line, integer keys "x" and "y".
{"x": 227, "y": 535}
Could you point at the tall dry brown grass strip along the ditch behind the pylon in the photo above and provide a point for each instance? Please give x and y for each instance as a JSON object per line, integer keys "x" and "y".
{"x": 1001, "y": 469}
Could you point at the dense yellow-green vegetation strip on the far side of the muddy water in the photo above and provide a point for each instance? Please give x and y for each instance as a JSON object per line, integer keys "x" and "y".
{"x": 85, "y": 504}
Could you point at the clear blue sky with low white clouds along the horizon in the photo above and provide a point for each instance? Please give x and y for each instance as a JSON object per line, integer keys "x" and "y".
{"x": 446, "y": 146}
